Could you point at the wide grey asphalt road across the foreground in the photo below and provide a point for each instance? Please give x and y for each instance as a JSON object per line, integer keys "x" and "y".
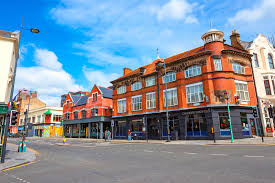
{"x": 88, "y": 162}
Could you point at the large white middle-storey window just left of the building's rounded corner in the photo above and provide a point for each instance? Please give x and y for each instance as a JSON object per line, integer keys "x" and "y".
{"x": 197, "y": 94}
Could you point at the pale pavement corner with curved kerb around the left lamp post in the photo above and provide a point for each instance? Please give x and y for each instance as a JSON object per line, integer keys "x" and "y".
{"x": 14, "y": 158}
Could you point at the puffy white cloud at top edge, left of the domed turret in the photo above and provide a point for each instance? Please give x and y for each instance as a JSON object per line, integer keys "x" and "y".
{"x": 178, "y": 10}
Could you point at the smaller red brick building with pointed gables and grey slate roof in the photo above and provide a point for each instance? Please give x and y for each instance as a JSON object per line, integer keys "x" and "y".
{"x": 88, "y": 115}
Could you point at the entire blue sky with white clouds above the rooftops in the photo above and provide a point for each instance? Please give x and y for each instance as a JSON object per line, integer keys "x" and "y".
{"x": 87, "y": 42}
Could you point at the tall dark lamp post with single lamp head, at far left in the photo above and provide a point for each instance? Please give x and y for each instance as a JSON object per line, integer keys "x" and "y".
{"x": 33, "y": 30}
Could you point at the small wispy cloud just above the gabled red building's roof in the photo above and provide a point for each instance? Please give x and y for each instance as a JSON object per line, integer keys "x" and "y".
{"x": 100, "y": 78}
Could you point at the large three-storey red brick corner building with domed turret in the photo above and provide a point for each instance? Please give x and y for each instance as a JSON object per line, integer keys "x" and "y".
{"x": 197, "y": 81}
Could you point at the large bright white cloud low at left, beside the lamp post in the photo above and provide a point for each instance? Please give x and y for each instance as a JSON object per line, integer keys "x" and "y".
{"x": 49, "y": 80}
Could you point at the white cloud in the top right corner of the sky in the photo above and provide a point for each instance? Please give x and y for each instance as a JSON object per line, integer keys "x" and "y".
{"x": 265, "y": 9}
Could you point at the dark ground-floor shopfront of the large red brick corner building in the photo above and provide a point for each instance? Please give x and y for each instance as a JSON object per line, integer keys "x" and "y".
{"x": 189, "y": 124}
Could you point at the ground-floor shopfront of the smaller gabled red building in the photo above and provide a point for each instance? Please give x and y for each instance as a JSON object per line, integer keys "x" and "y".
{"x": 87, "y": 128}
